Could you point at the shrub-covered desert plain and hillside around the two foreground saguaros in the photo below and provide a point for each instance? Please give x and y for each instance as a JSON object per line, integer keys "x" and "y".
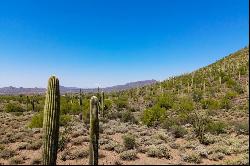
{"x": 199, "y": 118}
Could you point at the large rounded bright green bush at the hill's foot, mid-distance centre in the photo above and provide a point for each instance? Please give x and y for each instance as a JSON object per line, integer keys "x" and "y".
{"x": 152, "y": 116}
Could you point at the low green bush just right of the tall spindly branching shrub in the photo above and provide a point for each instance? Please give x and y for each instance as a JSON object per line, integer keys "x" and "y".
{"x": 216, "y": 127}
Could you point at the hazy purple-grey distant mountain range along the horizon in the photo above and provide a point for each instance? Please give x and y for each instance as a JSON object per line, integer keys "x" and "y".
{"x": 13, "y": 90}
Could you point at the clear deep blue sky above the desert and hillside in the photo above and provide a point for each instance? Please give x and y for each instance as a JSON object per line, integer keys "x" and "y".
{"x": 90, "y": 43}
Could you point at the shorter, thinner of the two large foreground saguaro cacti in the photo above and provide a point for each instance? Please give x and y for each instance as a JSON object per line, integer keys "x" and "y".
{"x": 94, "y": 131}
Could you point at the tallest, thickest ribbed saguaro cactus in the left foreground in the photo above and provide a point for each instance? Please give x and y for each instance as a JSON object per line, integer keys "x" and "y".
{"x": 51, "y": 122}
